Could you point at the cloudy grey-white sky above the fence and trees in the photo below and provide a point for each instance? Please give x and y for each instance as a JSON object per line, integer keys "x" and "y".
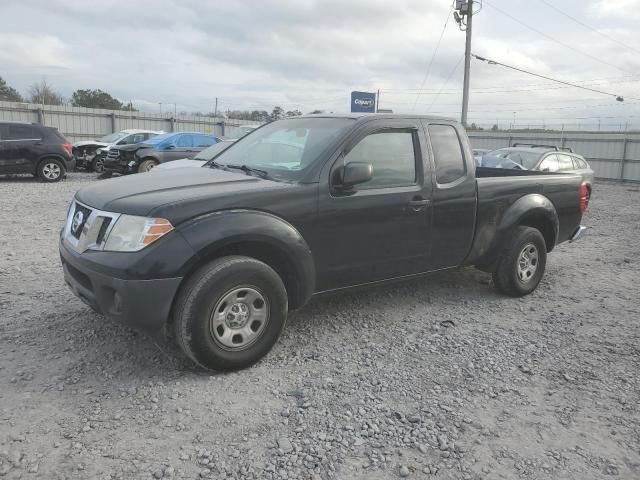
{"x": 309, "y": 54}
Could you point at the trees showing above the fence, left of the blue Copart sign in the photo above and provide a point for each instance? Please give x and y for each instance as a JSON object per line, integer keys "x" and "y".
{"x": 43, "y": 93}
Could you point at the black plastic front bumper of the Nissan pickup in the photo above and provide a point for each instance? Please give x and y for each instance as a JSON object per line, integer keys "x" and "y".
{"x": 142, "y": 304}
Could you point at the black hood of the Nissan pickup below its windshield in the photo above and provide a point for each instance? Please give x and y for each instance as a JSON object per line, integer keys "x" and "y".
{"x": 178, "y": 194}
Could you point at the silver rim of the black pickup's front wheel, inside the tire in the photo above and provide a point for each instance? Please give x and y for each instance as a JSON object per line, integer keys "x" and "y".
{"x": 239, "y": 318}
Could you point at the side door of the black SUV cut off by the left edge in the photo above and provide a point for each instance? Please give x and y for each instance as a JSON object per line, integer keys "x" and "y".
{"x": 18, "y": 142}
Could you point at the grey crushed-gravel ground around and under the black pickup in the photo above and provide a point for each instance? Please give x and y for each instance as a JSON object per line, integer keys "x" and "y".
{"x": 440, "y": 378}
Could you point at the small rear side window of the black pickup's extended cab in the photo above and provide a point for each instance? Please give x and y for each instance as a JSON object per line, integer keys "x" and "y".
{"x": 448, "y": 156}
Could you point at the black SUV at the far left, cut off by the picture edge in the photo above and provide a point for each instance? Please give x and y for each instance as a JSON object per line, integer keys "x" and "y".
{"x": 33, "y": 148}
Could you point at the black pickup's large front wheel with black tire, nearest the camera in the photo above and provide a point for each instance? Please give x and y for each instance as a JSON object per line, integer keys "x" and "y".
{"x": 204, "y": 294}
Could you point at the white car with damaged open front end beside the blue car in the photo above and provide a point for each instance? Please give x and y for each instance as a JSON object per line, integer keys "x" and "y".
{"x": 90, "y": 154}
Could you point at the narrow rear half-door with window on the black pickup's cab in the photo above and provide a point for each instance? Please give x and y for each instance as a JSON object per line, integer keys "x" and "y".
{"x": 454, "y": 196}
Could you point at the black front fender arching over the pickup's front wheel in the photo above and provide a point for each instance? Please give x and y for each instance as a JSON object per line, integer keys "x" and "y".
{"x": 219, "y": 230}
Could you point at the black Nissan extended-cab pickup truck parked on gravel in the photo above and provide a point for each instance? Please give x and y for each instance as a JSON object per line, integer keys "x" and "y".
{"x": 302, "y": 207}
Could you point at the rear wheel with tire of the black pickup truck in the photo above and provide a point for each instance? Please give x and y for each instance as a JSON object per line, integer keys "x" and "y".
{"x": 517, "y": 279}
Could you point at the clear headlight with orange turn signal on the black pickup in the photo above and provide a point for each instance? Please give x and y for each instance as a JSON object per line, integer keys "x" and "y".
{"x": 132, "y": 233}
